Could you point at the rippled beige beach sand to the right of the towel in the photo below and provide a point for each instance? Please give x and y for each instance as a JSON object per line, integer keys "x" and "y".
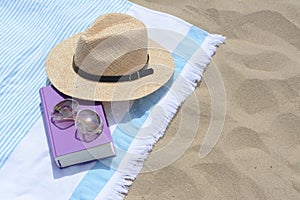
{"x": 258, "y": 153}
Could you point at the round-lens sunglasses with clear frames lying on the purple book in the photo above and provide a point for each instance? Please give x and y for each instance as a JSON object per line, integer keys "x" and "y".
{"x": 88, "y": 123}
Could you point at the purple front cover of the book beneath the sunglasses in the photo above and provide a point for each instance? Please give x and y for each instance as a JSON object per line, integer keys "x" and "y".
{"x": 64, "y": 141}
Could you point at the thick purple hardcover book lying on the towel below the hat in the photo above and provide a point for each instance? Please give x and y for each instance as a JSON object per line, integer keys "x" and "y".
{"x": 66, "y": 147}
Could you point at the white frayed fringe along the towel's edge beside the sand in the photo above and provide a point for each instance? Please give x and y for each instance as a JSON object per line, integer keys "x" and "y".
{"x": 190, "y": 76}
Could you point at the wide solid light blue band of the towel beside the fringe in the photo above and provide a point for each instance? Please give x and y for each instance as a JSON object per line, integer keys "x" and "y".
{"x": 93, "y": 182}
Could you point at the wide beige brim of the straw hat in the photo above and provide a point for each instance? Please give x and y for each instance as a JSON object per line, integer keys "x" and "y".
{"x": 63, "y": 77}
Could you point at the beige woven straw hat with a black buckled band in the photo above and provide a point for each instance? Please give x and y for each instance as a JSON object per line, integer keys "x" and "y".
{"x": 113, "y": 60}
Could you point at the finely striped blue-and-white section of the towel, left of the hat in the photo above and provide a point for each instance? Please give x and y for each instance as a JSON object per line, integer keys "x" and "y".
{"x": 29, "y": 30}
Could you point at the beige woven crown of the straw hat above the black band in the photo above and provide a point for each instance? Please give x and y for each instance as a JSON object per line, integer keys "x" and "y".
{"x": 116, "y": 44}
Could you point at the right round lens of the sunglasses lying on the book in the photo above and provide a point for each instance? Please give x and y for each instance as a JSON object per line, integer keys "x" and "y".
{"x": 89, "y": 125}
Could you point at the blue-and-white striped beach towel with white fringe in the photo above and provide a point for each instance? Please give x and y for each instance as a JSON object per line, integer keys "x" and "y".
{"x": 29, "y": 29}
